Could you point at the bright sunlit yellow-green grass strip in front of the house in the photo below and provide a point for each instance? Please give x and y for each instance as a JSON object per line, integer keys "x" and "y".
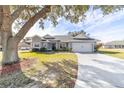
{"x": 48, "y": 57}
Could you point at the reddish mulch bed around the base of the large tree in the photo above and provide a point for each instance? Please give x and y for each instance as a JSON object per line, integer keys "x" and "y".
{"x": 25, "y": 63}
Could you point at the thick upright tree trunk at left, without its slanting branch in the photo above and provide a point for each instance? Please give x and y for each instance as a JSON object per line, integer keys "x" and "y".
{"x": 9, "y": 44}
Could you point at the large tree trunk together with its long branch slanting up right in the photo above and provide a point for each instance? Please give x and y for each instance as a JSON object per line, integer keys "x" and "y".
{"x": 9, "y": 42}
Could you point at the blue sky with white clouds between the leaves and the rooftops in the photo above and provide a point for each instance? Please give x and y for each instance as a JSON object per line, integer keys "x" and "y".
{"x": 105, "y": 28}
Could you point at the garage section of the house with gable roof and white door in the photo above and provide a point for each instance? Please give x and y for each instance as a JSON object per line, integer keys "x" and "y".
{"x": 83, "y": 43}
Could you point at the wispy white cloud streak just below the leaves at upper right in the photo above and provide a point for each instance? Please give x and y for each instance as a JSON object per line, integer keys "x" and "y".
{"x": 99, "y": 20}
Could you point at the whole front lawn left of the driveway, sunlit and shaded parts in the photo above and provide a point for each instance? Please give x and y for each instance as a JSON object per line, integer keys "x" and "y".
{"x": 44, "y": 70}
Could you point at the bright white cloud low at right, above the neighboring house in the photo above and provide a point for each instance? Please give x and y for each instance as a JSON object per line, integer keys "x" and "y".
{"x": 111, "y": 34}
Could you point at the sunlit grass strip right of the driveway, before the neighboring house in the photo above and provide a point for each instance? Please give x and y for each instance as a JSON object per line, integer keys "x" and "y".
{"x": 119, "y": 53}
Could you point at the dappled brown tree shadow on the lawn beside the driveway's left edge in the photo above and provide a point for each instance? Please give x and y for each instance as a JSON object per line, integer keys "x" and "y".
{"x": 60, "y": 74}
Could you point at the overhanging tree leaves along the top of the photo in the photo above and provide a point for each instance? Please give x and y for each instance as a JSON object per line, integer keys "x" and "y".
{"x": 72, "y": 13}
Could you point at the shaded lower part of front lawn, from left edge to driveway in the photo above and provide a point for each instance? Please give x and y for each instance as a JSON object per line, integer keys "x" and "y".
{"x": 50, "y": 75}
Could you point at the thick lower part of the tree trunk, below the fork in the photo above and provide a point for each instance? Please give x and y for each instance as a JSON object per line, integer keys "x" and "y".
{"x": 9, "y": 49}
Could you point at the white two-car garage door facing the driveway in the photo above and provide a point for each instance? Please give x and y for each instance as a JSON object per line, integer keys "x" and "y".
{"x": 82, "y": 47}
